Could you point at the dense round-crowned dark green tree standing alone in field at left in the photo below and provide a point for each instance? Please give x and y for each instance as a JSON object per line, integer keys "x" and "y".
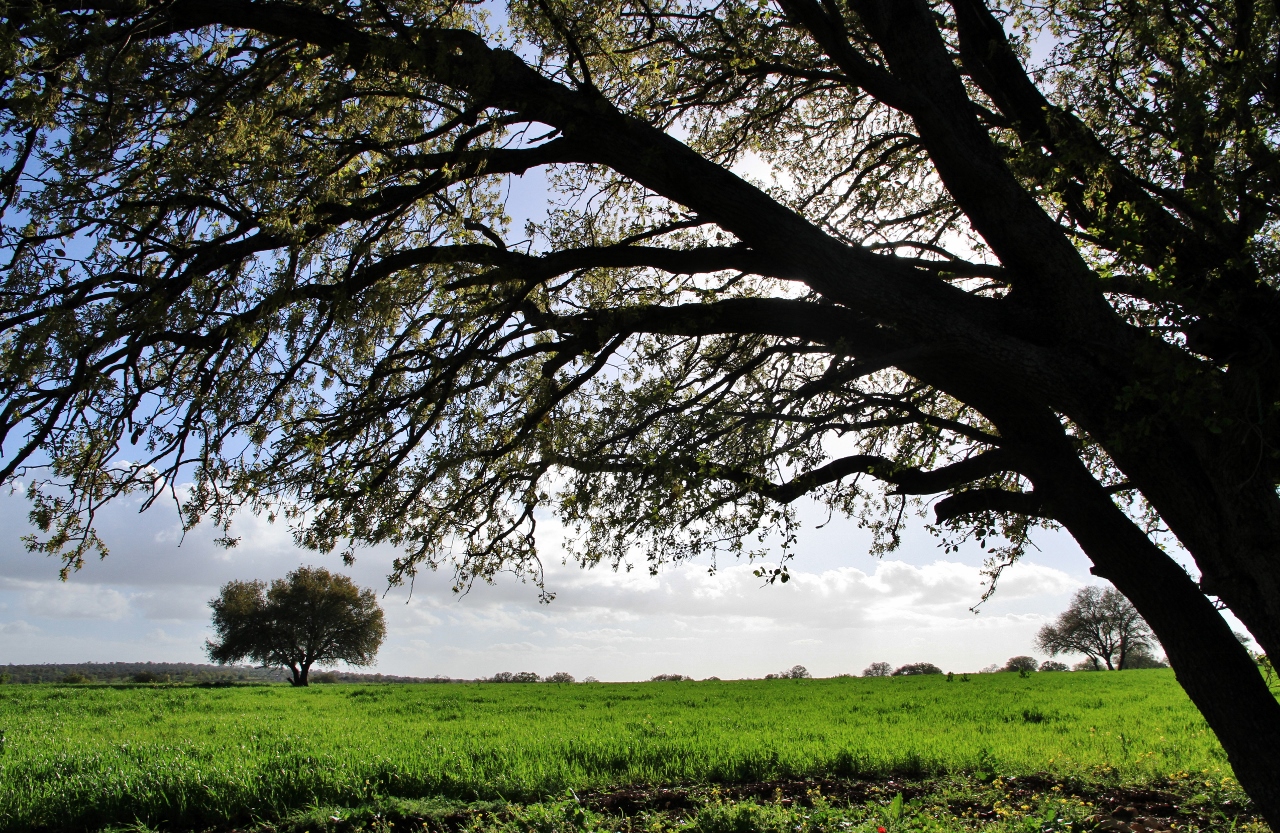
{"x": 312, "y": 616}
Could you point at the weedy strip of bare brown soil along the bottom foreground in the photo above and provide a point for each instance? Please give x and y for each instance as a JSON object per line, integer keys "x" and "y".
{"x": 958, "y": 804}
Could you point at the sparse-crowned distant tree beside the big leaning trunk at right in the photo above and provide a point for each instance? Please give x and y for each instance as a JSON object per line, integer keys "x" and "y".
{"x": 1103, "y": 625}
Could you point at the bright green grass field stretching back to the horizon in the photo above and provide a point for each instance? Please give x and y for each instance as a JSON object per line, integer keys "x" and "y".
{"x": 81, "y": 757}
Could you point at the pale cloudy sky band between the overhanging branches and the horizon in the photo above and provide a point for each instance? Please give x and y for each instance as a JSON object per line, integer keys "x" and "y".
{"x": 842, "y": 611}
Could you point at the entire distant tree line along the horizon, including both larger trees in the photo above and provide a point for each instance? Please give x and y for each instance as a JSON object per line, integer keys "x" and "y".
{"x": 313, "y": 616}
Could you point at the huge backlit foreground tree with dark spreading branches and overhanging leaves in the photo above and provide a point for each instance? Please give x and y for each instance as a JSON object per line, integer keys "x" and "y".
{"x": 843, "y": 249}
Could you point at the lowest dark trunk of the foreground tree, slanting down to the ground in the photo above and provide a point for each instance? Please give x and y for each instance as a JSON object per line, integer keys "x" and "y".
{"x": 1213, "y": 667}
